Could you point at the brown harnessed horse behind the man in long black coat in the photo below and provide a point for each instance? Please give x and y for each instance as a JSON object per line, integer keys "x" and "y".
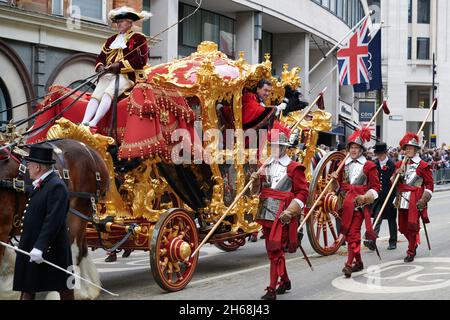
{"x": 82, "y": 163}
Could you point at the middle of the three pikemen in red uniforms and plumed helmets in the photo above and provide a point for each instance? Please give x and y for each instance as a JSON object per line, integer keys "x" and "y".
{"x": 358, "y": 186}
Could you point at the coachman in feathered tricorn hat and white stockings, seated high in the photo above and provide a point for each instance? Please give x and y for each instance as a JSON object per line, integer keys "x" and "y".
{"x": 124, "y": 54}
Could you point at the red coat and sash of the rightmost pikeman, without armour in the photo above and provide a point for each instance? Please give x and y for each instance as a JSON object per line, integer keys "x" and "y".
{"x": 424, "y": 171}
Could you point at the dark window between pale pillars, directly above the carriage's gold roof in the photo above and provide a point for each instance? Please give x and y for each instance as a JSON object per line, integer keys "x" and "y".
{"x": 206, "y": 26}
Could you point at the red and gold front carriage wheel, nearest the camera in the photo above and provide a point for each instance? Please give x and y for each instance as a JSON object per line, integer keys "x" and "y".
{"x": 174, "y": 238}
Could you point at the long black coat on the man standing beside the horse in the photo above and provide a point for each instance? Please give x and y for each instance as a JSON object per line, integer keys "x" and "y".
{"x": 44, "y": 228}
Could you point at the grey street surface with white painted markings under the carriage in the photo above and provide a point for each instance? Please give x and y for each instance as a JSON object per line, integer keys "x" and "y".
{"x": 244, "y": 273}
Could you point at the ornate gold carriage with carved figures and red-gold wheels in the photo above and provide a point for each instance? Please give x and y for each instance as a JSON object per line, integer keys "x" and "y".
{"x": 168, "y": 208}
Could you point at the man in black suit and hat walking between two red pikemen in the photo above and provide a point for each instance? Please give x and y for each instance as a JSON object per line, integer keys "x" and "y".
{"x": 386, "y": 168}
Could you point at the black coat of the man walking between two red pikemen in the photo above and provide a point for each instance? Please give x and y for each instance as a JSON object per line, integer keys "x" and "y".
{"x": 385, "y": 181}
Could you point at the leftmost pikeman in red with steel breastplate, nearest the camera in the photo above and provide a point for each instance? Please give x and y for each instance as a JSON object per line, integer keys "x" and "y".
{"x": 283, "y": 193}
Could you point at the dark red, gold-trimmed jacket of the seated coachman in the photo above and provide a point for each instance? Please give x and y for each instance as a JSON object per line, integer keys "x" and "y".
{"x": 133, "y": 64}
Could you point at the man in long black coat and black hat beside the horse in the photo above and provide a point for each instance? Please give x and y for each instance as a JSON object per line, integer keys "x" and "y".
{"x": 45, "y": 233}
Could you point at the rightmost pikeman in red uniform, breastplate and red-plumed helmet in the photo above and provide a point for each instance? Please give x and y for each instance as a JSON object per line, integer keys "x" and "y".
{"x": 415, "y": 190}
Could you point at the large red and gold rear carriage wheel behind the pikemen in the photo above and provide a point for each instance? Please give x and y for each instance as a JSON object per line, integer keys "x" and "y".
{"x": 321, "y": 226}
